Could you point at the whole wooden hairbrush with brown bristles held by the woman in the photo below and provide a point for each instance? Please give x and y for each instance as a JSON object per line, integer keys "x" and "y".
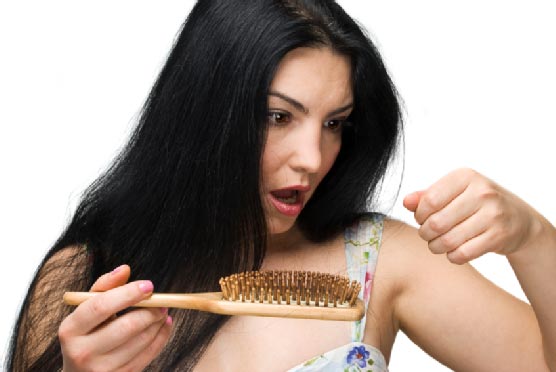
{"x": 285, "y": 294}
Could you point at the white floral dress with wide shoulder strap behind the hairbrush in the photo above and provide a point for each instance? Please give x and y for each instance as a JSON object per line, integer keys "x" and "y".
{"x": 362, "y": 243}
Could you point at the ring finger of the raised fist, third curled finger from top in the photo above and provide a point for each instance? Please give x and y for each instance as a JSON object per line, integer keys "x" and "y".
{"x": 459, "y": 234}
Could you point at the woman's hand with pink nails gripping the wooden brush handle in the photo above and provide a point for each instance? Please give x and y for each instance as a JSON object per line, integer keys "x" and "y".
{"x": 94, "y": 339}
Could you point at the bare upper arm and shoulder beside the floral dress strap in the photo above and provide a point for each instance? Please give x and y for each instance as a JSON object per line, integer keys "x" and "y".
{"x": 455, "y": 314}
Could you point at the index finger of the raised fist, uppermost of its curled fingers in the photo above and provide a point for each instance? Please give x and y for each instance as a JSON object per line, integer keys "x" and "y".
{"x": 441, "y": 193}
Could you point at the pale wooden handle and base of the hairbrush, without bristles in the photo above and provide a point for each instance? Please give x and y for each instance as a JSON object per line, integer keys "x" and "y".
{"x": 213, "y": 302}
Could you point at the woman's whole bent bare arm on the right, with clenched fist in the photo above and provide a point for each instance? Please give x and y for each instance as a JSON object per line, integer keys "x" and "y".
{"x": 463, "y": 216}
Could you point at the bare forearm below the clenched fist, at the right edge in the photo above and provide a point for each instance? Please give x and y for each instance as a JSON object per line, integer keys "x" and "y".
{"x": 535, "y": 268}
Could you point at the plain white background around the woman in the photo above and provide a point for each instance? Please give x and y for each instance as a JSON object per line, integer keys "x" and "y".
{"x": 477, "y": 78}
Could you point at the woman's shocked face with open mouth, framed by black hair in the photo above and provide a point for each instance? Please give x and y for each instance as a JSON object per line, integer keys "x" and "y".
{"x": 309, "y": 100}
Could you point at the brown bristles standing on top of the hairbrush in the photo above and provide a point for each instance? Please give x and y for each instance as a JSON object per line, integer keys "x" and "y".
{"x": 291, "y": 287}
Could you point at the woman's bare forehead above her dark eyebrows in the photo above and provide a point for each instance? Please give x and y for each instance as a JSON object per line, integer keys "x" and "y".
{"x": 314, "y": 75}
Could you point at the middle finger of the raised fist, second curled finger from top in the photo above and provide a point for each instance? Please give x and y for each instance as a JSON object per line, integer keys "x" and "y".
{"x": 458, "y": 210}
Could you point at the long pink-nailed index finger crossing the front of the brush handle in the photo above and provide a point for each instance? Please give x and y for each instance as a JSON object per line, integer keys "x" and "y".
{"x": 95, "y": 311}
